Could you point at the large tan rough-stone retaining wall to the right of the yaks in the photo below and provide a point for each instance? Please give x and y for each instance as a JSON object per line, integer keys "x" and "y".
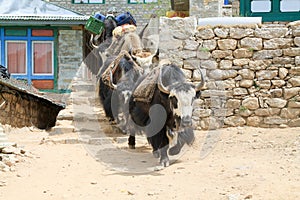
{"x": 252, "y": 72}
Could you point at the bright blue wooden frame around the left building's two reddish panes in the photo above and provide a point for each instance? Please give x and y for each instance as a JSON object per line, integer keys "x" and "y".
{"x": 25, "y": 39}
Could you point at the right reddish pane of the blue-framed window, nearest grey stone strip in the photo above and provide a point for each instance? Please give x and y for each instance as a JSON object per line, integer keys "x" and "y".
{"x": 42, "y": 57}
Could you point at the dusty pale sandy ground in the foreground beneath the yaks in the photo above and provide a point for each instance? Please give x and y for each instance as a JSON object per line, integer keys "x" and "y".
{"x": 232, "y": 163}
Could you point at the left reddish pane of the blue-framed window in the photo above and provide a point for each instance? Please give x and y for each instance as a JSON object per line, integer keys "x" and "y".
{"x": 16, "y": 56}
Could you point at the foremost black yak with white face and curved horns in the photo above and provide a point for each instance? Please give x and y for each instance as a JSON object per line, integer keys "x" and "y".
{"x": 167, "y": 118}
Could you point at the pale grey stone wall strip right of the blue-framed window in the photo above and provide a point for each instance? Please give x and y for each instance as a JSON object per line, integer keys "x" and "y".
{"x": 70, "y": 56}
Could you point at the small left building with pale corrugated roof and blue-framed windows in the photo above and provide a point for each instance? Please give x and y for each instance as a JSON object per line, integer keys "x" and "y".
{"x": 41, "y": 43}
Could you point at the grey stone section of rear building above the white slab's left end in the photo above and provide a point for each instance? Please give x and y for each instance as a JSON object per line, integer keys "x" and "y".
{"x": 206, "y": 8}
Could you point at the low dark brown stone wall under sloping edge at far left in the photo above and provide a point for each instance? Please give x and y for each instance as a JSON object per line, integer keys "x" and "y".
{"x": 20, "y": 108}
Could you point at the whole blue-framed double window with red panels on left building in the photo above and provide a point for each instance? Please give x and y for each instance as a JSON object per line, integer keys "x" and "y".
{"x": 28, "y": 54}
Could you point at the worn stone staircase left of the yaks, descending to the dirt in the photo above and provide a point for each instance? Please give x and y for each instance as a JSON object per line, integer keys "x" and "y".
{"x": 83, "y": 120}
